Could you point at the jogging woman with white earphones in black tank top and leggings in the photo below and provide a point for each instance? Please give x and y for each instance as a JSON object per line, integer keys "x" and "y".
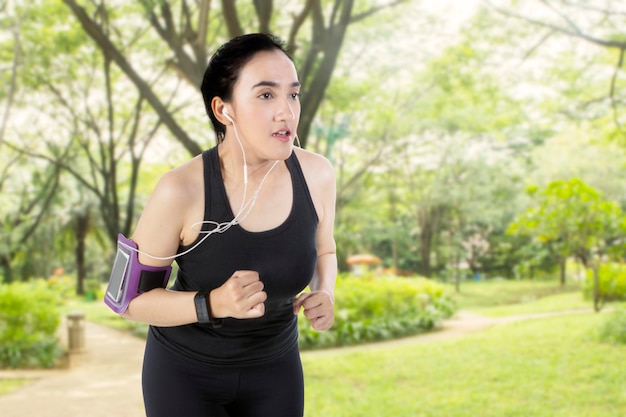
{"x": 252, "y": 223}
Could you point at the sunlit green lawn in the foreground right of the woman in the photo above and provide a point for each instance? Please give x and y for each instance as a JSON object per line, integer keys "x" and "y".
{"x": 544, "y": 368}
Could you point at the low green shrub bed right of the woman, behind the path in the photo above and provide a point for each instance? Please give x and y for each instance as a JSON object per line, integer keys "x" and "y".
{"x": 370, "y": 309}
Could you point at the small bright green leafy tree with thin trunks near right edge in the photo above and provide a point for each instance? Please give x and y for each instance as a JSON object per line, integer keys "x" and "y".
{"x": 570, "y": 219}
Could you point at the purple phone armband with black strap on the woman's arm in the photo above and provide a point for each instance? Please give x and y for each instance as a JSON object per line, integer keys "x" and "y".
{"x": 129, "y": 278}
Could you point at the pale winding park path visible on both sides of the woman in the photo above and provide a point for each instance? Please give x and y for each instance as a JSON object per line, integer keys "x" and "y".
{"x": 105, "y": 378}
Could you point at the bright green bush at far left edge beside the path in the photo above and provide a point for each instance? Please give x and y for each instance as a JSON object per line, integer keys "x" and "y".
{"x": 29, "y": 317}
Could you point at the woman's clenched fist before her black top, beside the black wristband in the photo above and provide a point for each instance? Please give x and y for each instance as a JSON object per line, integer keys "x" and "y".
{"x": 241, "y": 297}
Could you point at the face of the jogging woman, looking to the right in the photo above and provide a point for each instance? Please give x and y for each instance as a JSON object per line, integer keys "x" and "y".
{"x": 266, "y": 105}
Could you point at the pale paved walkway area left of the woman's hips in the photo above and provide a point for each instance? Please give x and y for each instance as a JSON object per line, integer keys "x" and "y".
{"x": 103, "y": 380}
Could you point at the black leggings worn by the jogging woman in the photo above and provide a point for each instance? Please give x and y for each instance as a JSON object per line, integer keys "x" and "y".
{"x": 175, "y": 386}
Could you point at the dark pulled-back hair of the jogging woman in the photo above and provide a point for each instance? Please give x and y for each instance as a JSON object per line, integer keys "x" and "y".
{"x": 224, "y": 67}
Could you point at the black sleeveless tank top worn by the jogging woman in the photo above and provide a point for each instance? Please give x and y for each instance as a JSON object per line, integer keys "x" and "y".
{"x": 285, "y": 258}
